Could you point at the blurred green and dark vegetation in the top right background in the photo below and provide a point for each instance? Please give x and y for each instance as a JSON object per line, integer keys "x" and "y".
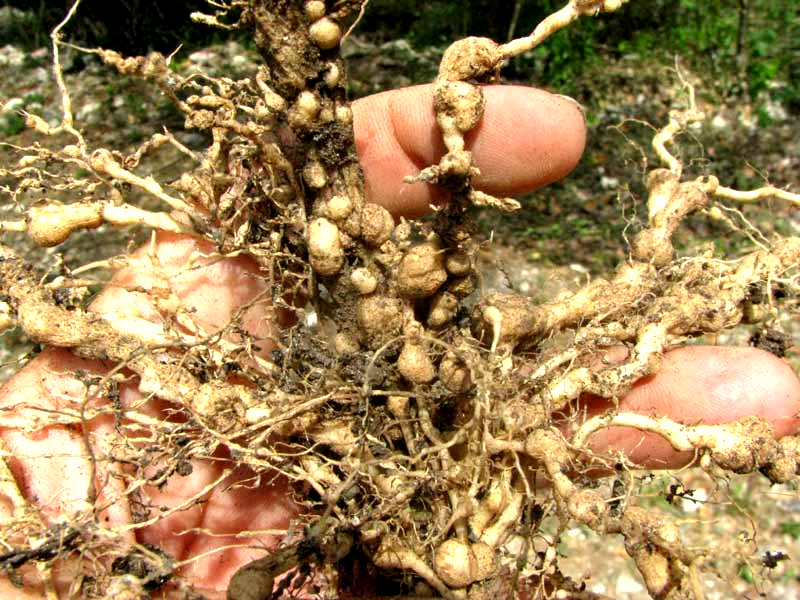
{"x": 744, "y": 47}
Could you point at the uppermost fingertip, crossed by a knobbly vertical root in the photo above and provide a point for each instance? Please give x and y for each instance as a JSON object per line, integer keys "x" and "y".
{"x": 527, "y": 138}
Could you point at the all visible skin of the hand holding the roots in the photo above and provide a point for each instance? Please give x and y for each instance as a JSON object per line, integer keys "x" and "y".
{"x": 395, "y": 138}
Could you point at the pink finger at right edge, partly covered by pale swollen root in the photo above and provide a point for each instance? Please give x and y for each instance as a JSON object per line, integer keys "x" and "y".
{"x": 703, "y": 385}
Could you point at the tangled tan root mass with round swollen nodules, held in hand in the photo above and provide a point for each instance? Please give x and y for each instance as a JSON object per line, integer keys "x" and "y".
{"x": 426, "y": 426}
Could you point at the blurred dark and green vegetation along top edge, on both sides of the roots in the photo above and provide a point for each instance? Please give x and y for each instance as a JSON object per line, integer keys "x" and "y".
{"x": 744, "y": 47}
